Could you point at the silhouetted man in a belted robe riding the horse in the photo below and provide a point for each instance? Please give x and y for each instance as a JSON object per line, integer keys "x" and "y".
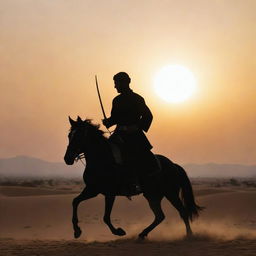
{"x": 131, "y": 116}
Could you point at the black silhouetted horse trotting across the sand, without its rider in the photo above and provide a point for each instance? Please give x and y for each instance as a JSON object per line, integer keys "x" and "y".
{"x": 100, "y": 178}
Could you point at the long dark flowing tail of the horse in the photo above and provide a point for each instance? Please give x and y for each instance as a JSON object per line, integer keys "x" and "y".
{"x": 187, "y": 196}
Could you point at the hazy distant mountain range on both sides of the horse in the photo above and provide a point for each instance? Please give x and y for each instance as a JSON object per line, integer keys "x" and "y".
{"x": 23, "y": 166}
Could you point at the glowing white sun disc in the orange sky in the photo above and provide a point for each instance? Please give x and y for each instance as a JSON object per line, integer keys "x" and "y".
{"x": 174, "y": 83}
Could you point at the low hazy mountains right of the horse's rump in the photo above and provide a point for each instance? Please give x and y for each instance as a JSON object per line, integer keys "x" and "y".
{"x": 220, "y": 170}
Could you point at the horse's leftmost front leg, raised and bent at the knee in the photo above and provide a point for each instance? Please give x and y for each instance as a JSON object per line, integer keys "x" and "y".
{"x": 85, "y": 194}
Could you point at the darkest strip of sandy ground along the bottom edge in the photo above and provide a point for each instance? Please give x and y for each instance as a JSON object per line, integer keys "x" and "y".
{"x": 197, "y": 246}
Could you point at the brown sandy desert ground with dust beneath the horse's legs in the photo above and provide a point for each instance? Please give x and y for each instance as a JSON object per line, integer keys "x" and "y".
{"x": 38, "y": 222}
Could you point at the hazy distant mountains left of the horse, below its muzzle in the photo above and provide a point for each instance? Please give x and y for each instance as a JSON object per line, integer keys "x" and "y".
{"x": 23, "y": 166}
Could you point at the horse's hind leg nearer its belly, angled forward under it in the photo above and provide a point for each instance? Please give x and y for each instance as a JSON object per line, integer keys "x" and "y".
{"x": 155, "y": 206}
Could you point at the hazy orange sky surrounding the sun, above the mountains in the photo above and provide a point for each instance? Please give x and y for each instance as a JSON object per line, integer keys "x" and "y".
{"x": 50, "y": 51}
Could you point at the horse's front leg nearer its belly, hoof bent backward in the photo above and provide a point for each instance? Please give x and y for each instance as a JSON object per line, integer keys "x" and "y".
{"x": 109, "y": 201}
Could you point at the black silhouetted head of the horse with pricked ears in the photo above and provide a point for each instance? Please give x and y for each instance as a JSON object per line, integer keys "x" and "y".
{"x": 77, "y": 137}
